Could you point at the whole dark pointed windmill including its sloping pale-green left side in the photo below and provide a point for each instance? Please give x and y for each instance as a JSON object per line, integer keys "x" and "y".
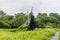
{"x": 30, "y": 23}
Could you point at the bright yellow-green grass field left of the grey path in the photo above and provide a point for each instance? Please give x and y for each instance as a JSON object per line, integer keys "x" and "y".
{"x": 37, "y": 34}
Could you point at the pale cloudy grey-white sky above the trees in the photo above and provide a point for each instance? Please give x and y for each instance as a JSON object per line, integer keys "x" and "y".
{"x": 14, "y": 6}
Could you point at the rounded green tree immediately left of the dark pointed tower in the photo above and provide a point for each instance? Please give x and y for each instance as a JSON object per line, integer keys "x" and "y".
{"x": 20, "y": 18}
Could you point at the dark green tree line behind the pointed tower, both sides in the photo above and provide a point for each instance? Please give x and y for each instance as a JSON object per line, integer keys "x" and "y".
{"x": 42, "y": 20}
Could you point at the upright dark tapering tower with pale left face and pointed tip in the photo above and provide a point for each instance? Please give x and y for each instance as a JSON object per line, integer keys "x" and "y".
{"x": 31, "y": 23}
